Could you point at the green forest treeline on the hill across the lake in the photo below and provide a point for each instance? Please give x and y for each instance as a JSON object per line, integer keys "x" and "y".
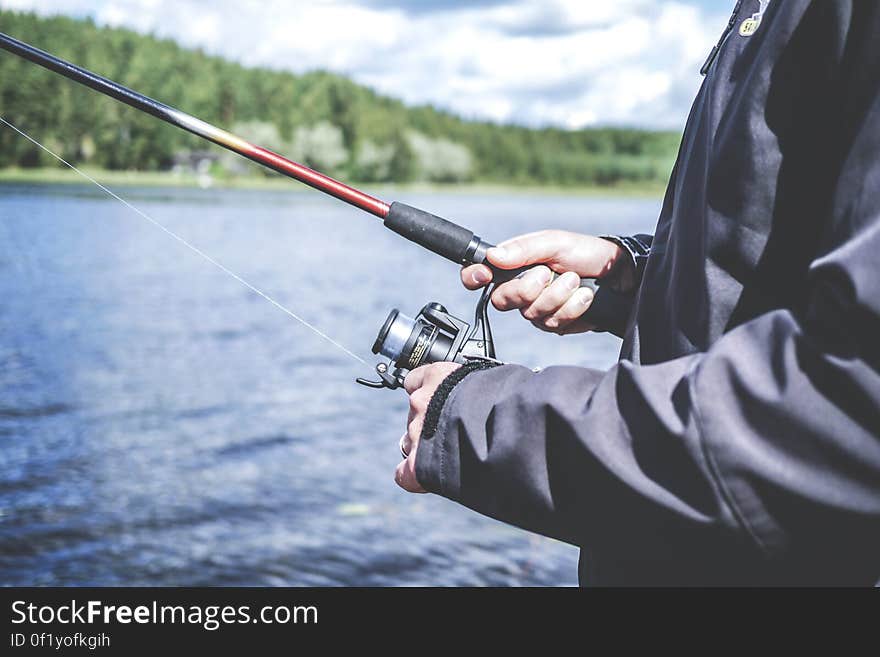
{"x": 319, "y": 118}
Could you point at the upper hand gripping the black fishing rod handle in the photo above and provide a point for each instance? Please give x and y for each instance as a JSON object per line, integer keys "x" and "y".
{"x": 555, "y": 307}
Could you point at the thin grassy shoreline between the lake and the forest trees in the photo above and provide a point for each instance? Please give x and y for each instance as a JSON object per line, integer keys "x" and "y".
{"x": 54, "y": 176}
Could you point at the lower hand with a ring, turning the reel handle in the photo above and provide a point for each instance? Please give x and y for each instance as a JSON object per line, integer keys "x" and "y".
{"x": 420, "y": 384}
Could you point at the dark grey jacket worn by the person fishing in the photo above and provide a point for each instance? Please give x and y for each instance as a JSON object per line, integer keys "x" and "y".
{"x": 738, "y": 439}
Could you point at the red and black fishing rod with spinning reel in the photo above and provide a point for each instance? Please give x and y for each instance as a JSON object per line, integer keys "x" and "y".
{"x": 434, "y": 334}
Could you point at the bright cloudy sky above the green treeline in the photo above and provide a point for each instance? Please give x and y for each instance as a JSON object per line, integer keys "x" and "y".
{"x": 570, "y": 63}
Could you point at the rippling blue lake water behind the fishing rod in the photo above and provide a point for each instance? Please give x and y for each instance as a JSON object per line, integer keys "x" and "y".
{"x": 163, "y": 425}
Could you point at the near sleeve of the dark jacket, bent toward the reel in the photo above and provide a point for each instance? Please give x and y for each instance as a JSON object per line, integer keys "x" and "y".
{"x": 769, "y": 440}
